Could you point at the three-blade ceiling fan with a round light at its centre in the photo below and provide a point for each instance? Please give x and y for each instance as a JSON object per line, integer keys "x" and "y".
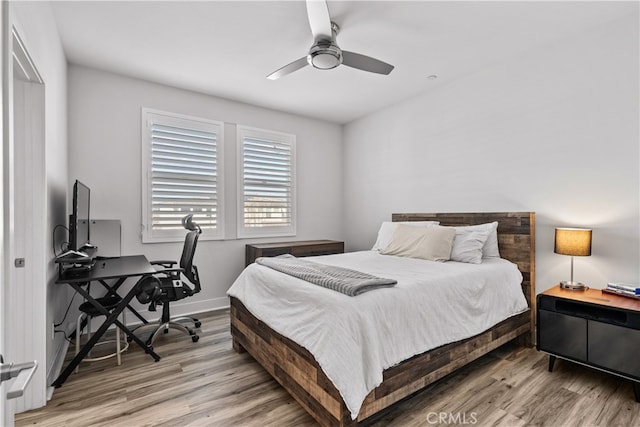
{"x": 325, "y": 54}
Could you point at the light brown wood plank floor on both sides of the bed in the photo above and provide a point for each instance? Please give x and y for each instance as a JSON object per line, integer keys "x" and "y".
{"x": 208, "y": 384}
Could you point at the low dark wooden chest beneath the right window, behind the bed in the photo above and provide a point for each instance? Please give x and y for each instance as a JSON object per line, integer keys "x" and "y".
{"x": 298, "y": 249}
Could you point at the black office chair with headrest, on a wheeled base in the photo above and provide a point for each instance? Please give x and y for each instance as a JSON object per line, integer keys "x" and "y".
{"x": 167, "y": 285}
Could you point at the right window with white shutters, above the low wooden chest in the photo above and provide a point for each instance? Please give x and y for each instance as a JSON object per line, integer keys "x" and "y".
{"x": 266, "y": 183}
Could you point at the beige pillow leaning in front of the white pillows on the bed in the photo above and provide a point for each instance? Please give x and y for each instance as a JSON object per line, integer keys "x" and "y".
{"x": 432, "y": 243}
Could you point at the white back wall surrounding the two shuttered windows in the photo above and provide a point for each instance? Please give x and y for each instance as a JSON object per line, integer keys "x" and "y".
{"x": 104, "y": 111}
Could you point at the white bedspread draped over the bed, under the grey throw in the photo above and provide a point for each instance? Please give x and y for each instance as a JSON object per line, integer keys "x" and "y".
{"x": 354, "y": 339}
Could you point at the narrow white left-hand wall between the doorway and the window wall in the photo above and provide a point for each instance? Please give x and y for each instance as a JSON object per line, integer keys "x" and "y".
{"x": 35, "y": 23}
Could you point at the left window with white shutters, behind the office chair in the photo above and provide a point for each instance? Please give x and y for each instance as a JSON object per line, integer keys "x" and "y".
{"x": 182, "y": 174}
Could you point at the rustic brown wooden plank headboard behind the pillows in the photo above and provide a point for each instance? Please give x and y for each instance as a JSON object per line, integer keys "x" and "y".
{"x": 516, "y": 238}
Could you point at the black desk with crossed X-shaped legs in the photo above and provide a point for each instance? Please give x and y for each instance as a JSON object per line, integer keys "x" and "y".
{"x": 114, "y": 268}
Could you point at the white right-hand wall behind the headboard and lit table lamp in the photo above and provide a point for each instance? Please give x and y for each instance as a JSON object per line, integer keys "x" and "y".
{"x": 554, "y": 130}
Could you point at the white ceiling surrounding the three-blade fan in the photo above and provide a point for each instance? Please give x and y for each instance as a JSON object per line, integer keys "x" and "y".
{"x": 227, "y": 48}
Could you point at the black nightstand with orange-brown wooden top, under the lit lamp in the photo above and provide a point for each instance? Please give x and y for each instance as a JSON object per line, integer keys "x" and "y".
{"x": 593, "y": 328}
